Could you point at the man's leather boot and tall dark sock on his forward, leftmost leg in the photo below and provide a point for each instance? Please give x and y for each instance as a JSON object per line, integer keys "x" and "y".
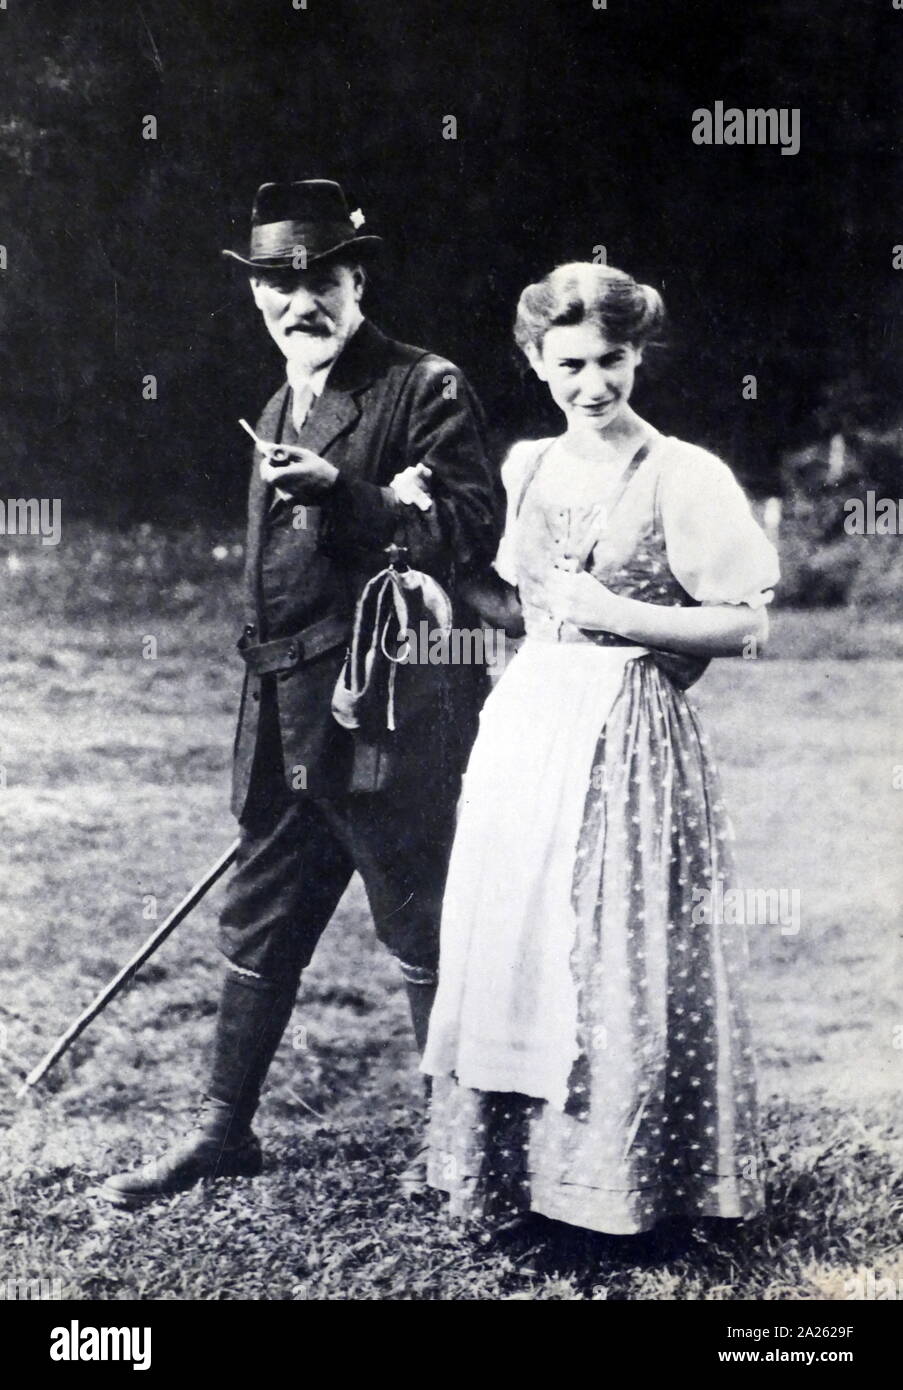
{"x": 254, "y": 1015}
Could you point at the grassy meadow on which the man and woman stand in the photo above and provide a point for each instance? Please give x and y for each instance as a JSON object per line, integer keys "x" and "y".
{"x": 116, "y": 772}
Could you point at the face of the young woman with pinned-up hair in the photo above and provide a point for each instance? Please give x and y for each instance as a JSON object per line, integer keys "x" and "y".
{"x": 591, "y": 379}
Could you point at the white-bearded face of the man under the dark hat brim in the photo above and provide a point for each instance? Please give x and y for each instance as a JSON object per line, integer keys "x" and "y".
{"x": 310, "y": 315}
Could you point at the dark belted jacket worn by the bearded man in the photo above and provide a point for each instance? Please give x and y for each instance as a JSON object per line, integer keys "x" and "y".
{"x": 386, "y": 407}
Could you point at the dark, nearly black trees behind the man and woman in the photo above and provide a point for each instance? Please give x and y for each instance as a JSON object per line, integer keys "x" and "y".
{"x": 573, "y": 131}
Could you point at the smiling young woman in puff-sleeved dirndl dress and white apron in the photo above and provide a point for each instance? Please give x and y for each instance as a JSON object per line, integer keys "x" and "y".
{"x": 588, "y": 1046}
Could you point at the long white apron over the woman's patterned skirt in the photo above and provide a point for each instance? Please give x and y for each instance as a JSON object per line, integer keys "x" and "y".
{"x": 505, "y": 1017}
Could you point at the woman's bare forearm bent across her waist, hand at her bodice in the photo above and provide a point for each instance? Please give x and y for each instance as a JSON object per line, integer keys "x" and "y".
{"x": 711, "y": 630}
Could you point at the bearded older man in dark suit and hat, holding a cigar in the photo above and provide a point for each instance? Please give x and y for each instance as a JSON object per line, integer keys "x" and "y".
{"x": 317, "y": 801}
